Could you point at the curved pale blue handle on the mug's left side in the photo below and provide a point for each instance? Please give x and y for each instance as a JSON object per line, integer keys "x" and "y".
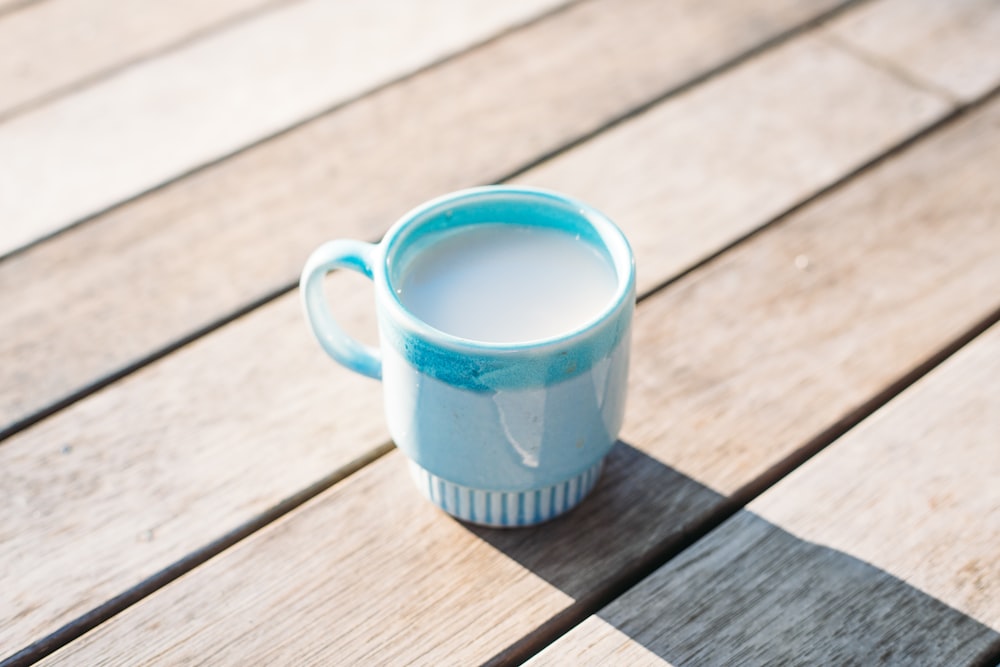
{"x": 340, "y": 254}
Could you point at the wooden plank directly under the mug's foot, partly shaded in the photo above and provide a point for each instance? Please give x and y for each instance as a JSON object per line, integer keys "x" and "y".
{"x": 760, "y": 356}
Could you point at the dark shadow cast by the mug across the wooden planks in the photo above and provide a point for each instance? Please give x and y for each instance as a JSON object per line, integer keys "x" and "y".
{"x": 723, "y": 586}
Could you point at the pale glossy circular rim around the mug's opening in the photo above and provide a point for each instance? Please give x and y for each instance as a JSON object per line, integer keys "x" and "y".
{"x": 611, "y": 238}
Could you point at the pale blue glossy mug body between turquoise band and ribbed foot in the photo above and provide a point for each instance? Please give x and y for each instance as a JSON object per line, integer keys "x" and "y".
{"x": 514, "y": 439}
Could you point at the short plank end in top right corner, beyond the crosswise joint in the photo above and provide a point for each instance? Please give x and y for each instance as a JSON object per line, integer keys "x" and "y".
{"x": 949, "y": 45}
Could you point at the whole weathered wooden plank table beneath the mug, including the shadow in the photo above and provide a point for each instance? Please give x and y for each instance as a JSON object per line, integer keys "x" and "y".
{"x": 810, "y": 466}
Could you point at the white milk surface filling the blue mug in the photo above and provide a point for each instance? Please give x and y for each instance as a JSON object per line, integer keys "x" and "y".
{"x": 502, "y": 283}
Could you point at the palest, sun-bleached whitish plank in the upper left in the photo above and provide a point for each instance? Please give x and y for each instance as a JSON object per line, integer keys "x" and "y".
{"x": 162, "y": 118}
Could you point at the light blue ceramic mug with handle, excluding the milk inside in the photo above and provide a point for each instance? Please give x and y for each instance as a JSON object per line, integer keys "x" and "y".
{"x": 500, "y": 434}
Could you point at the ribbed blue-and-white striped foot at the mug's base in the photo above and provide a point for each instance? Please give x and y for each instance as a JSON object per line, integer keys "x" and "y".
{"x": 505, "y": 509}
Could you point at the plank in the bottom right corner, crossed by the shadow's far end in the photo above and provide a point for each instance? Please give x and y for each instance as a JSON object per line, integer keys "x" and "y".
{"x": 883, "y": 546}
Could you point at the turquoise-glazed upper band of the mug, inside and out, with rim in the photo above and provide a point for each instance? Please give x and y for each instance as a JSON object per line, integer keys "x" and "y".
{"x": 484, "y": 367}
